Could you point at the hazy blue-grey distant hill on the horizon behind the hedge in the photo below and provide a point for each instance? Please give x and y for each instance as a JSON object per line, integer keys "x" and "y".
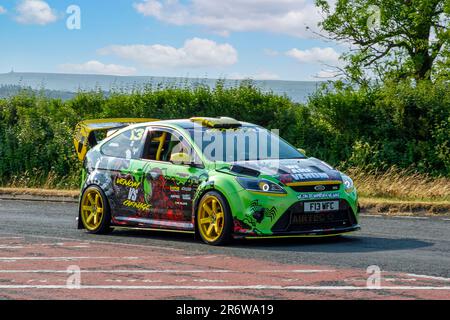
{"x": 64, "y": 85}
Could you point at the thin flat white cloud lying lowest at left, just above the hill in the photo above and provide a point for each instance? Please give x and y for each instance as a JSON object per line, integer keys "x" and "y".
{"x": 96, "y": 67}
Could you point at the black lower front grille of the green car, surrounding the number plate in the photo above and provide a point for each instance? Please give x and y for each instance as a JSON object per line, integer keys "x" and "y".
{"x": 295, "y": 219}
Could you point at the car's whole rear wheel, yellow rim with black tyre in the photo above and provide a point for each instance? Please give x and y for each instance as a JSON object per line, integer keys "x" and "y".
{"x": 94, "y": 211}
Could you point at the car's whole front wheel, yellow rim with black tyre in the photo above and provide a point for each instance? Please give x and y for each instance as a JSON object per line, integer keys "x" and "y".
{"x": 214, "y": 219}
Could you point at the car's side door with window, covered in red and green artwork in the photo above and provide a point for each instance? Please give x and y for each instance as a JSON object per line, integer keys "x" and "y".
{"x": 171, "y": 180}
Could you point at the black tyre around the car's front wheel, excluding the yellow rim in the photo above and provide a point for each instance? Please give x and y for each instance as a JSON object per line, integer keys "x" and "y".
{"x": 226, "y": 236}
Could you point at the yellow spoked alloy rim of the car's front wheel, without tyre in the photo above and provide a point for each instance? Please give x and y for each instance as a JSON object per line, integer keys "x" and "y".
{"x": 211, "y": 218}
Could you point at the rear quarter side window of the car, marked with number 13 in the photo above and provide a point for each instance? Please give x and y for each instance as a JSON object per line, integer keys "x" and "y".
{"x": 127, "y": 145}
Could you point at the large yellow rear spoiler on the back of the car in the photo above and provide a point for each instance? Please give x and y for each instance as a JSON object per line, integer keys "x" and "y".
{"x": 85, "y": 137}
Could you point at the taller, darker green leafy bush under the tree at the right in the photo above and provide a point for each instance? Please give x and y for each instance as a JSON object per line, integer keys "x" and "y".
{"x": 399, "y": 124}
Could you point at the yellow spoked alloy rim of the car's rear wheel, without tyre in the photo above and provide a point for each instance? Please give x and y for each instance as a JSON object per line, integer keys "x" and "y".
{"x": 92, "y": 209}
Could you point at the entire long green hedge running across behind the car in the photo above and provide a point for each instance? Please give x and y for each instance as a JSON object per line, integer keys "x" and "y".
{"x": 399, "y": 124}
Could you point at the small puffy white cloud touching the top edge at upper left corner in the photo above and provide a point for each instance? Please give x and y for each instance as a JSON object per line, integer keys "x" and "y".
{"x": 35, "y": 12}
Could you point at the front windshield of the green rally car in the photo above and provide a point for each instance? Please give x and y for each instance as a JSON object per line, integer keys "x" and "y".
{"x": 245, "y": 143}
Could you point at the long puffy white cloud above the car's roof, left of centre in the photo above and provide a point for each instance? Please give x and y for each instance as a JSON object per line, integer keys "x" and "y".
{"x": 194, "y": 53}
